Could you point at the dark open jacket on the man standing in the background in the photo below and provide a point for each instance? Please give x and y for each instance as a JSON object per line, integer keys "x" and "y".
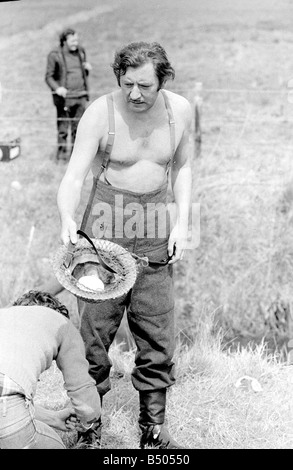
{"x": 56, "y": 69}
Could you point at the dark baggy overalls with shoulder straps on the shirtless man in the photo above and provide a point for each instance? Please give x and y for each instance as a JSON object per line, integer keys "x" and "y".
{"x": 150, "y": 303}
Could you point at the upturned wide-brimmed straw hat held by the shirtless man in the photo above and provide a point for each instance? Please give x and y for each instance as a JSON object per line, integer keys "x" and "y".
{"x": 84, "y": 258}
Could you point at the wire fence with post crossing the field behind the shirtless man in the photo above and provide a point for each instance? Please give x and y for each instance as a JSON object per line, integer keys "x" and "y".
{"x": 204, "y": 118}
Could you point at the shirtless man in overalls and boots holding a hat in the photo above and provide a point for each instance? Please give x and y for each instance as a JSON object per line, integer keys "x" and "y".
{"x": 132, "y": 140}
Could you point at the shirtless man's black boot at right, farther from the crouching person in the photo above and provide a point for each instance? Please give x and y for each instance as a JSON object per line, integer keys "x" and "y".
{"x": 151, "y": 419}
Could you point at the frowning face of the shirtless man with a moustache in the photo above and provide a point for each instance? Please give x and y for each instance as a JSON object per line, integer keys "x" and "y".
{"x": 140, "y": 87}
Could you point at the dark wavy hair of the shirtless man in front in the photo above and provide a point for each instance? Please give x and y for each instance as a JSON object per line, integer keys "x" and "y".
{"x": 136, "y": 54}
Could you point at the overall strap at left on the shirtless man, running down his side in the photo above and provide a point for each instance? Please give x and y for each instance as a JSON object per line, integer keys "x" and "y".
{"x": 105, "y": 161}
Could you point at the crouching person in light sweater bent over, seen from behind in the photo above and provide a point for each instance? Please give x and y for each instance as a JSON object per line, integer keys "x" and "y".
{"x": 33, "y": 332}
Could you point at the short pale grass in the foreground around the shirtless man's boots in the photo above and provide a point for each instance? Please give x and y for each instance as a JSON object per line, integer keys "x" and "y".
{"x": 205, "y": 408}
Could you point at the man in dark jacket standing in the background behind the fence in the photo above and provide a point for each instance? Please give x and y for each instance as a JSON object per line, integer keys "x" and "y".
{"x": 67, "y": 77}
